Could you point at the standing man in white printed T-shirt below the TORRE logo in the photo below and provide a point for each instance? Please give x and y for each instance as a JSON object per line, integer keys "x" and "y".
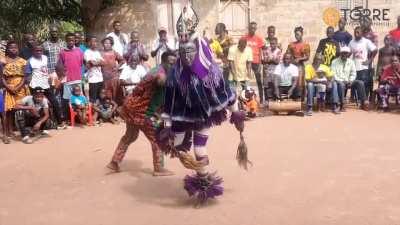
{"x": 363, "y": 52}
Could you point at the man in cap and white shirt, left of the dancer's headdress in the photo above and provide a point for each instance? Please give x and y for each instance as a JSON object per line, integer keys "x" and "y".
{"x": 162, "y": 44}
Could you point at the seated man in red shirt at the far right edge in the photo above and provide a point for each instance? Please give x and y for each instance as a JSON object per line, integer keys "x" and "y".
{"x": 390, "y": 82}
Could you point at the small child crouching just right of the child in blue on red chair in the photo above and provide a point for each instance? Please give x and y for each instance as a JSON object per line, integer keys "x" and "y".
{"x": 104, "y": 108}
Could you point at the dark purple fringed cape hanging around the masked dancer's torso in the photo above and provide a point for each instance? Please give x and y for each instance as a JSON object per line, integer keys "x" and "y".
{"x": 195, "y": 103}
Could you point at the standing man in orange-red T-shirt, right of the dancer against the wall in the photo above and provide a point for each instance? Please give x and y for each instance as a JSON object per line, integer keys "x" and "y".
{"x": 256, "y": 43}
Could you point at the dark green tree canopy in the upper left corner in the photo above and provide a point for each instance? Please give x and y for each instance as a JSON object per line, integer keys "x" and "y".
{"x": 21, "y": 16}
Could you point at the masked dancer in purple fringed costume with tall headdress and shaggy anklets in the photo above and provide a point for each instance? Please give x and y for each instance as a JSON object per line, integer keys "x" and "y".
{"x": 197, "y": 98}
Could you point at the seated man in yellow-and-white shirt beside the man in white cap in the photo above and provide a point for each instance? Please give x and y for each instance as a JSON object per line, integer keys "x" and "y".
{"x": 319, "y": 78}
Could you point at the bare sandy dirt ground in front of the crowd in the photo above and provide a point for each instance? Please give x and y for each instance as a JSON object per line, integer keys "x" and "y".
{"x": 324, "y": 169}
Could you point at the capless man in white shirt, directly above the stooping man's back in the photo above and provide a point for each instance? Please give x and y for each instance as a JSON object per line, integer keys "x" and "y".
{"x": 132, "y": 73}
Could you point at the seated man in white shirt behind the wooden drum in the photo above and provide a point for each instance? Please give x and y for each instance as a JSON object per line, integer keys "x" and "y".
{"x": 286, "y": 78}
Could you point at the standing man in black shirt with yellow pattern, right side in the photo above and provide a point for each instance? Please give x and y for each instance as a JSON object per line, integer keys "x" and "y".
{"x": 328, "y": 47}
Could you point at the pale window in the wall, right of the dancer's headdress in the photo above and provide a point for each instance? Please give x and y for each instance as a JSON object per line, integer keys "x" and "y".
{"x": 235, "y": 15}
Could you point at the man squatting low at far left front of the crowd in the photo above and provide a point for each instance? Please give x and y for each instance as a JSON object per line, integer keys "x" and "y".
{"x": 32, "y": 114}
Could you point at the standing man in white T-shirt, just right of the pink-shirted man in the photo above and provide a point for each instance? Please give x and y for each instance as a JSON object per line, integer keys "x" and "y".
{"x": 94, "y": 60}
